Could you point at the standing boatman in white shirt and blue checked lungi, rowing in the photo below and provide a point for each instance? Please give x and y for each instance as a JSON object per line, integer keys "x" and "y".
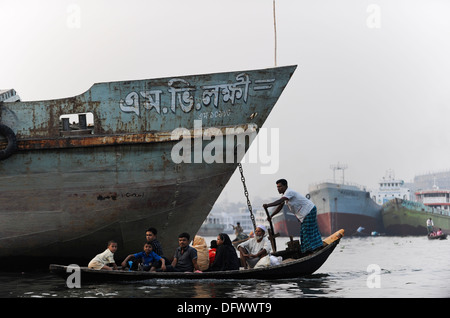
{"x": 304, "y": 210}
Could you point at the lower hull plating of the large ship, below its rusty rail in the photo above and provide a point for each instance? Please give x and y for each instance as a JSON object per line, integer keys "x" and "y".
{"x": 71, "y": 212}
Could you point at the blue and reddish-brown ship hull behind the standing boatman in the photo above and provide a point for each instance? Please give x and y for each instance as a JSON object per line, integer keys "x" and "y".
{"x": 345, "y": 207}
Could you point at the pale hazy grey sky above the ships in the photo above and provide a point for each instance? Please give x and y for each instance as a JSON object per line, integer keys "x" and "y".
{"x": 372, "y": 87}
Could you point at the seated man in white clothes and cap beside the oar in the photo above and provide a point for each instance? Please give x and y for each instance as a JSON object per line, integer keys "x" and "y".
{"x": 252, "y": 250}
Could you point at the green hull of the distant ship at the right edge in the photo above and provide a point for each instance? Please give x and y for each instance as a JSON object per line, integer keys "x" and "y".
{"x": 403, "y": 217}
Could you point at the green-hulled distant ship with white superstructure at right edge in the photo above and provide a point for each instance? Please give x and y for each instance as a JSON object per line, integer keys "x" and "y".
{"x": 405, "y": 217}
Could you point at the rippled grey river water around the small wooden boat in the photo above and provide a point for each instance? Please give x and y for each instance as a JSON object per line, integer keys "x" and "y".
{"x": 382, "y": 267}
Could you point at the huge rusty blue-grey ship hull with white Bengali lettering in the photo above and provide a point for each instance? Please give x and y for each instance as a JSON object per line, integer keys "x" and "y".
{"x": 65, "y": 193}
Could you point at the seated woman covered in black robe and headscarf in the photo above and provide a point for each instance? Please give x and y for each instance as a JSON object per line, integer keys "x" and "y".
{"x": 226, "y": 256}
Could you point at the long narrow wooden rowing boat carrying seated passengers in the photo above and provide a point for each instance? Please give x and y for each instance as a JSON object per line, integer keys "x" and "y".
{"x": 294, "y": 265}
